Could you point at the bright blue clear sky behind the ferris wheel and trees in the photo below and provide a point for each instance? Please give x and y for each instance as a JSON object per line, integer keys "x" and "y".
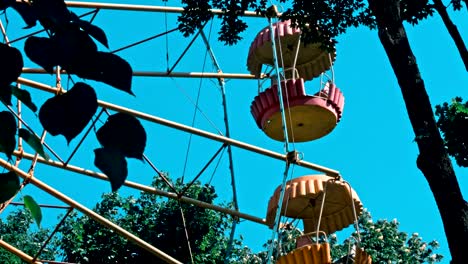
{"x": 372, "y": 146}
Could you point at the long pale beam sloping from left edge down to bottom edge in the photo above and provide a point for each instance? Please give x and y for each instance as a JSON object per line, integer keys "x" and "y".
{"x": 98, "y": 218}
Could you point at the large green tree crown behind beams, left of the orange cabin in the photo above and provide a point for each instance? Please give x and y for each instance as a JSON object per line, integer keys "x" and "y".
{"x": 154, "y": 219}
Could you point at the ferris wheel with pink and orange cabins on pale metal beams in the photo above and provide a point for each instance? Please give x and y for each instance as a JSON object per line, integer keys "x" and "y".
{"x": 285, "y": 109}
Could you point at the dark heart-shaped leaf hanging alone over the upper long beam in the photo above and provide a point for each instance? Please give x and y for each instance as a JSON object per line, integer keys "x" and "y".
{"x": 69, "y": 113}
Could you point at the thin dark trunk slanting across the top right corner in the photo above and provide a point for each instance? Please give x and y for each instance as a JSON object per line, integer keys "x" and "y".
{"x": 453, "y": 31}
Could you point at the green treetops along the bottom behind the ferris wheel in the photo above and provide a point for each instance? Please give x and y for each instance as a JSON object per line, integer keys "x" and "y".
{"x": 159, "y": 221}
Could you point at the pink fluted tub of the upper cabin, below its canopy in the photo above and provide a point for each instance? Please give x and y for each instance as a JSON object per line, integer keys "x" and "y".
{"x": 308, "y": 117}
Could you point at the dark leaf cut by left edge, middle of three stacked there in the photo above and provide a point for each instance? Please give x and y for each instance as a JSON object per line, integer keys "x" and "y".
{"x": 7, "y": 133}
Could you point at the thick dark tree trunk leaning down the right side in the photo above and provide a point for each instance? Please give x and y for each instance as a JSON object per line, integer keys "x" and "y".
{"x": 433, "y": 160}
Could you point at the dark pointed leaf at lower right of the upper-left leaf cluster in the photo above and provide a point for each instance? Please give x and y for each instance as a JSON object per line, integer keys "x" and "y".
{"x": 107, "y": 68}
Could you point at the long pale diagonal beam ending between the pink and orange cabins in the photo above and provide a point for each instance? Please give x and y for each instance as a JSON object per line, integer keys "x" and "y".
{"x": 198, "y": 132}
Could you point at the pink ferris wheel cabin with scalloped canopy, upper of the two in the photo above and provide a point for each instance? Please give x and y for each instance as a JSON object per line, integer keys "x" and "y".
{"x": 308, "y": 117}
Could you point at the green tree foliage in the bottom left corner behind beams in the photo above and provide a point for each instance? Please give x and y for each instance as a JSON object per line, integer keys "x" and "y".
{"x": 16, "y": 230}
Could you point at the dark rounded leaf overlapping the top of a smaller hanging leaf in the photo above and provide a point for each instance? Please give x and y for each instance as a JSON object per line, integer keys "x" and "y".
{"x": 124, "y": 133}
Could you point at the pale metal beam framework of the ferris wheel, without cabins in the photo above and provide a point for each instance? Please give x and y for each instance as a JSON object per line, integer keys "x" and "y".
{"x": 220, "y": 76}
